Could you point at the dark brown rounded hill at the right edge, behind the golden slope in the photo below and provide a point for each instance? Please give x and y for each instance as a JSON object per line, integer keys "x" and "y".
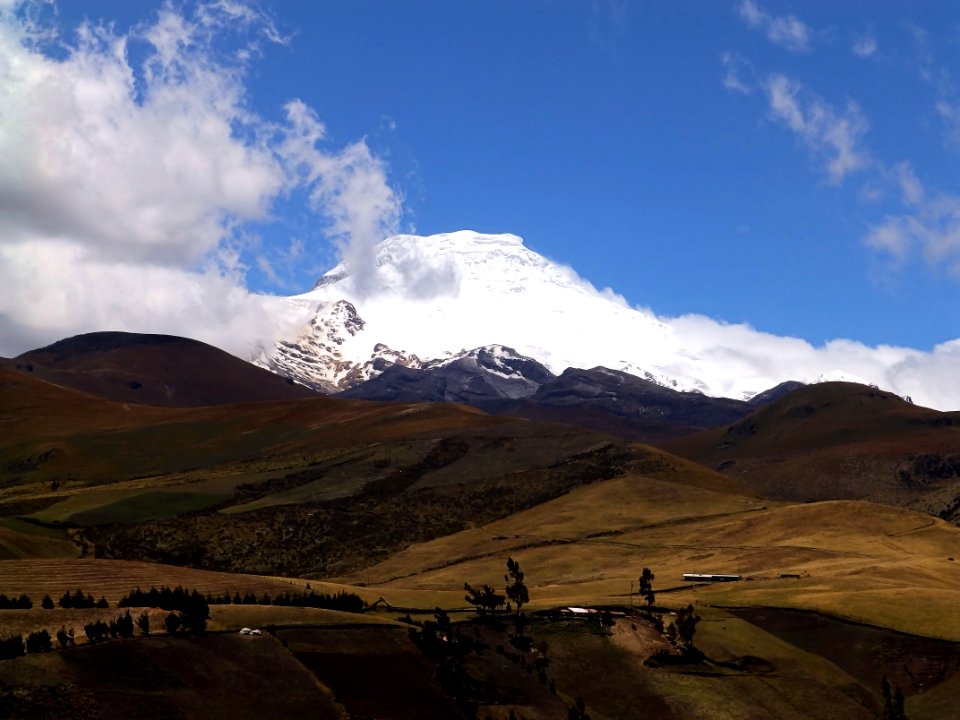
{"x": 839, "y": 441}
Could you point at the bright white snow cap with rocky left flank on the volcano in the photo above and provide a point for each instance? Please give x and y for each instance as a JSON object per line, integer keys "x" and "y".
{"x": 437, "y": 296}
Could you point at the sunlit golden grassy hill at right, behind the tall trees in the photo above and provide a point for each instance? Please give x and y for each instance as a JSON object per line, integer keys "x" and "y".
{"x": 867, "y": 562}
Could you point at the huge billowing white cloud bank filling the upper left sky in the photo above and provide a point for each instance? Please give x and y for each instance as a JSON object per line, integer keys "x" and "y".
{"x": 125, "y": 190}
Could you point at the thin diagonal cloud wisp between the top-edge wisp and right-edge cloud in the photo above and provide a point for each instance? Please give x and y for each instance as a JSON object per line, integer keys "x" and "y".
{"x": 834, "y": 135}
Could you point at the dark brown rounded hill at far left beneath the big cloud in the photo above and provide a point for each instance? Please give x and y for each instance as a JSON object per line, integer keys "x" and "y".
{"x": 155, "y": 370}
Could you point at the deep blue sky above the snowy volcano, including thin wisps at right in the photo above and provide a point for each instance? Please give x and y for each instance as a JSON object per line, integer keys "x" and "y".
{"x": 788, "y": 165}
